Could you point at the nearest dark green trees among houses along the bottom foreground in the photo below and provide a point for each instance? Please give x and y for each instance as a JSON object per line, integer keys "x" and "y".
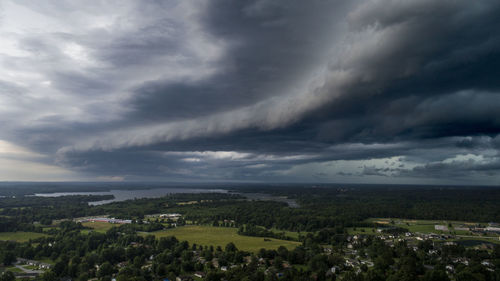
{"x": 128, "y": 256}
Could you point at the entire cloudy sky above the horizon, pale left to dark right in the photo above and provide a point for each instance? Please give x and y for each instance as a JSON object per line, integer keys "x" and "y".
{"x": 375, "y": 91}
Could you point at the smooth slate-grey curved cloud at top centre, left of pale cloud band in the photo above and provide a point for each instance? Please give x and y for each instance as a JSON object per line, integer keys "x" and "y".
{"x": 270, "y": 45}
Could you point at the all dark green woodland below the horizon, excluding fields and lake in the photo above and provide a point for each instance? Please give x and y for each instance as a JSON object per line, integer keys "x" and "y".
{"x": 128, "y": 252}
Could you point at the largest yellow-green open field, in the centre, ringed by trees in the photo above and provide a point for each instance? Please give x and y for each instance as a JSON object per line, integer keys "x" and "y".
{"x": 220, "y": 236}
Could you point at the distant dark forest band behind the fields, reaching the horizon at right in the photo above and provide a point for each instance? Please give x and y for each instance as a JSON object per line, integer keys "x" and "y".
{"x": 319, "y": 207}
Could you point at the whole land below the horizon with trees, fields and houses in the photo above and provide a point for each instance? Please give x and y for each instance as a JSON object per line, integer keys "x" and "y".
{"x": 319, "y": 232}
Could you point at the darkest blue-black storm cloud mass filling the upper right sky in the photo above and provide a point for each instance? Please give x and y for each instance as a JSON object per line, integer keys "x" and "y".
{"x": 431, "y": 72}
